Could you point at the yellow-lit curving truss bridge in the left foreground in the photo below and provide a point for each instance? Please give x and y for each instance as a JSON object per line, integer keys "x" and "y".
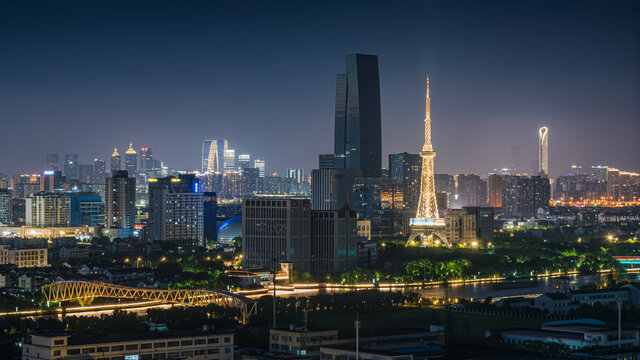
{"x": 84, "y": 291}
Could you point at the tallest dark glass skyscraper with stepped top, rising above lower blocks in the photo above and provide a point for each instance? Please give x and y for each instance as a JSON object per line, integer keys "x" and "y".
{"x": 358, "y": 133}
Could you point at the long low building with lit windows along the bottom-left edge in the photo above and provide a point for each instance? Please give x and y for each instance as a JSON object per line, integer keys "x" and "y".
{"x": 188, "y": 345}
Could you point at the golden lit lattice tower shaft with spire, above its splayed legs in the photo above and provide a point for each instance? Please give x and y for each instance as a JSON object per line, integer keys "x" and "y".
{"x": 427, "y": 206}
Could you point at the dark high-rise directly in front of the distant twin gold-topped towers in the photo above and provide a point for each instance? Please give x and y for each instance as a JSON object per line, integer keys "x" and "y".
{"x": 120, "y": 200}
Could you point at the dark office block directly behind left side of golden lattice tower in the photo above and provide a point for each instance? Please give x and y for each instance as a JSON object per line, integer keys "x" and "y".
{"x": 406, "y": 169}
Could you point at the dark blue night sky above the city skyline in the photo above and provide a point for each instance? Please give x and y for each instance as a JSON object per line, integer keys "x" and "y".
{"x": 83, "y": 77}
